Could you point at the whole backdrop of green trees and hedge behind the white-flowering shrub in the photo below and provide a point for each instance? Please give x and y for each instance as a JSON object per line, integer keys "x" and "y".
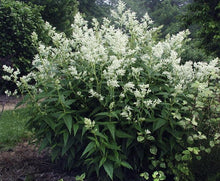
{"x": 173, "y": 15}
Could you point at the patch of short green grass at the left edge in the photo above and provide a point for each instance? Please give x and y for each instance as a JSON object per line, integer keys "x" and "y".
{"x": 12, "y": 128}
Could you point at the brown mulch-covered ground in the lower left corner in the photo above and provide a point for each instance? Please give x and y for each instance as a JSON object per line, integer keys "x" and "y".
{"x": 25, "y": 163}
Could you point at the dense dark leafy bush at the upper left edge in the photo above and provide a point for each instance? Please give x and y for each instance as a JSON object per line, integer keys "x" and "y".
{"x": 17, "y": 22}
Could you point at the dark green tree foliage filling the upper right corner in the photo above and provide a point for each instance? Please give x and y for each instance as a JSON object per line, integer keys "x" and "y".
{"x": 205, "y": 14}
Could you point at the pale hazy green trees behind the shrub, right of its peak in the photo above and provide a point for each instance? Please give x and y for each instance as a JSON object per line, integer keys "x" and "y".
{"x": 163, "y": 12}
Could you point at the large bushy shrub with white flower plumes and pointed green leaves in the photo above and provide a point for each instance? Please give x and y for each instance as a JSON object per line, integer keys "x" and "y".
{"x": 114, "y": 102}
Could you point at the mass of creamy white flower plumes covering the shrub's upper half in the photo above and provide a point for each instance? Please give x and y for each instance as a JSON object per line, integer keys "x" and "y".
{"x": 117, "y": 59}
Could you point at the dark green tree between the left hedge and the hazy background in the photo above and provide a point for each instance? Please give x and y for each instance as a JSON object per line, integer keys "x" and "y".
{"x": 59, "y": 13}
